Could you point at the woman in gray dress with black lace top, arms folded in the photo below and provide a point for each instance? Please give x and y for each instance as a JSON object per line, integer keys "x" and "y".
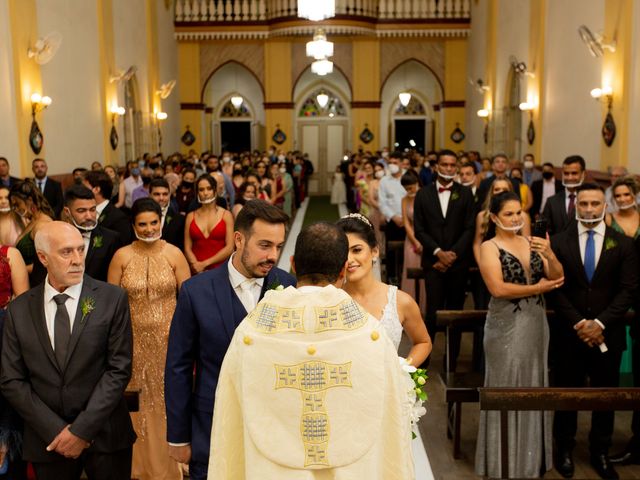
{"x": 517, "y": 271}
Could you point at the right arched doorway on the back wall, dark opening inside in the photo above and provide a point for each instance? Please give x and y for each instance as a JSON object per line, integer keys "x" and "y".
{"x": 416, "y": 121}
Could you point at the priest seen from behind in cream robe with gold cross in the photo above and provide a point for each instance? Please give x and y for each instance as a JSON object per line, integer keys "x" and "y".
{"x": 311, "y": 387}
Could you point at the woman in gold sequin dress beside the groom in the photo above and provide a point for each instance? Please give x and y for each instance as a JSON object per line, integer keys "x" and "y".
{"x": 151, "y": 271}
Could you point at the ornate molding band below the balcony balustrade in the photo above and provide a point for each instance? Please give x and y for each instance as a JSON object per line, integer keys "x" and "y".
{"x": 330, "y": 29}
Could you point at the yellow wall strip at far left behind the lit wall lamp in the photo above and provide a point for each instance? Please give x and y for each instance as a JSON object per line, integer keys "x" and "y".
{"x": 24, "y": 32}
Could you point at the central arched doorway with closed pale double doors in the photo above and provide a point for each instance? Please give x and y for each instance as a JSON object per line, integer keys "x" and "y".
{"x": 322, "y": 128}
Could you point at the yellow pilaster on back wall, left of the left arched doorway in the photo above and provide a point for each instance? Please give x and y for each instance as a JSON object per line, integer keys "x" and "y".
{"x": 189, "y": 81}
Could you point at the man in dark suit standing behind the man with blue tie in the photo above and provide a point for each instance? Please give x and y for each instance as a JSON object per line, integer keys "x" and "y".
{"x": 559, "y": 212}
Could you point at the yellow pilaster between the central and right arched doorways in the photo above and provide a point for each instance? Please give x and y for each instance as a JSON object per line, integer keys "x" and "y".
{"x": 366, "y": 88}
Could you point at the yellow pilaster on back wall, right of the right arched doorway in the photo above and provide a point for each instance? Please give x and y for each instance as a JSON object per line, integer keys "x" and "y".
{"x": 455, "y": 86}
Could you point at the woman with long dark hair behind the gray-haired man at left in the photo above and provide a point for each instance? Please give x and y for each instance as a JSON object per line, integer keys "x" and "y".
{"x": 34, "y": 210}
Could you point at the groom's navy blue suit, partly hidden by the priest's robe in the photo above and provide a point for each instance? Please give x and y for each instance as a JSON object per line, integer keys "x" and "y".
{"x": 206, "y": 316}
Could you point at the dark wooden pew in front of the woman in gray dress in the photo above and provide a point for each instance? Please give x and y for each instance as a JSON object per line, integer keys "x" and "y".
{"x": 506, "y": 400}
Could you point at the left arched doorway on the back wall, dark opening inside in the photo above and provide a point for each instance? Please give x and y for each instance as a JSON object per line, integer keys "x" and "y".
{"x": 228, "y": 121}
